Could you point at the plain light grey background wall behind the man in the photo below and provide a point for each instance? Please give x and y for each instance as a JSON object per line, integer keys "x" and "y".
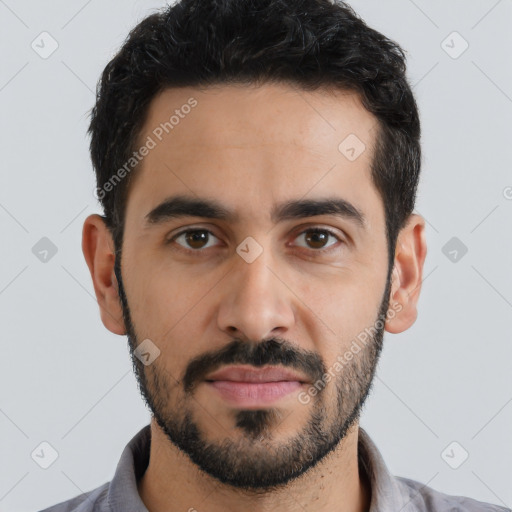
{"x": 66, "y": 380}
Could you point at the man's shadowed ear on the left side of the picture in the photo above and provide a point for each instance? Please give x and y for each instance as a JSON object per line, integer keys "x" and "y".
{"x": 99, "y": 253}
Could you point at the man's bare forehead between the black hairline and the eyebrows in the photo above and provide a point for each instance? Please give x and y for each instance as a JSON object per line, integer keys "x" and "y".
{"x": 249, "y": 145}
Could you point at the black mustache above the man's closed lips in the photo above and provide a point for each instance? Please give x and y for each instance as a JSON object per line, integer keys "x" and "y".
{"x": 273, "y": 351}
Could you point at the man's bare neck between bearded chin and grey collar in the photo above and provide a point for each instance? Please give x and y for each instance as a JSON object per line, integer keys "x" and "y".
{"x": 172, "y": 482}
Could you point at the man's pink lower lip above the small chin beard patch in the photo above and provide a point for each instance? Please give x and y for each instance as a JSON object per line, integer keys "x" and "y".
{"x": 254, "y": 393}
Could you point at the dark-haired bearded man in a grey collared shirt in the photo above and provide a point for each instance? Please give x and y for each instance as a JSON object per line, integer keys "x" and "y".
{"x": 257, "y": 162}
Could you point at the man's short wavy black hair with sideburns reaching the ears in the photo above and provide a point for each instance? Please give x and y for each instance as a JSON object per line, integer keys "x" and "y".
{"x": 309, "y": 44}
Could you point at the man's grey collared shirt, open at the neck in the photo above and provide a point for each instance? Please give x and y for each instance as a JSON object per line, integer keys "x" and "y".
{"x": 389, "y": 493}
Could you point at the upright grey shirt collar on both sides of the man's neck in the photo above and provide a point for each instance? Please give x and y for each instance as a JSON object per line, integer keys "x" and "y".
{"x": 387, "y": 495}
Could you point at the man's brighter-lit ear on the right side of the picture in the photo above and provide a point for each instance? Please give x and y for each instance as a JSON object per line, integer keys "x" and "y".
{"x": 407, "y": 275}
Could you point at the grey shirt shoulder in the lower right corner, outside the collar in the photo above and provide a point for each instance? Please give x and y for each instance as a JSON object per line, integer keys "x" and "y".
{"x": 426, "y": 499}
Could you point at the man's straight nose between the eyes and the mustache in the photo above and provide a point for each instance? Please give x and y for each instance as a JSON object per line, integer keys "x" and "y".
{"x": 256, "y": 302}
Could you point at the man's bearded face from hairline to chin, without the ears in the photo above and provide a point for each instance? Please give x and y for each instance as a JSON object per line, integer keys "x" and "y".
{"x": 256, "y": 290}
